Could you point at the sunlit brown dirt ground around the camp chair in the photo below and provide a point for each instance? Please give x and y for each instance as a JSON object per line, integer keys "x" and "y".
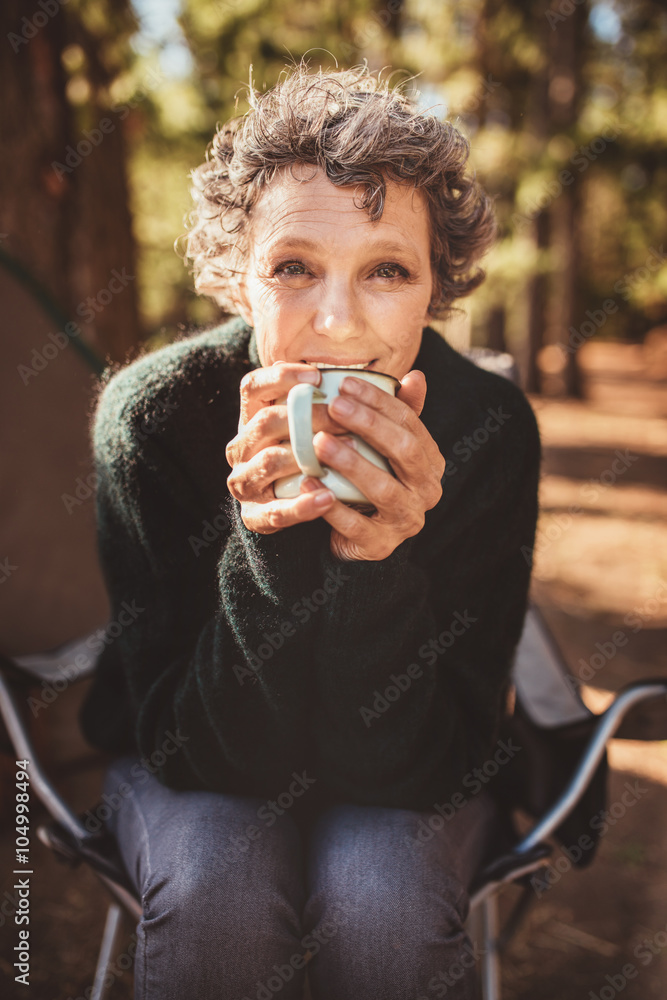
{"x": 600, "y": 569}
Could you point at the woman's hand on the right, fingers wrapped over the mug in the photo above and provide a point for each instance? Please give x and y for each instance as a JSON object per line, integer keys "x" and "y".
{"x": 392, "y": 426}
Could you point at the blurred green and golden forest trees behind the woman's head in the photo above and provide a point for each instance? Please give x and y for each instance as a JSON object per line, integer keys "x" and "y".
{"x": 108, "y": 107}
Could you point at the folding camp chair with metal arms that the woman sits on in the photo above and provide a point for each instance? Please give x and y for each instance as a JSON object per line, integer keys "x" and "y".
{"x": 558, "y": 780}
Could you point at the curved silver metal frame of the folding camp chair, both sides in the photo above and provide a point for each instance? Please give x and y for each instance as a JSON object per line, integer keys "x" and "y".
{"x": 525, "y": 858}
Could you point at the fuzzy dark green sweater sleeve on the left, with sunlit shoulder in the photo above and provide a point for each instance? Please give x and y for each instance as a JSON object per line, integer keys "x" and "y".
{"x": 217, "y": 653}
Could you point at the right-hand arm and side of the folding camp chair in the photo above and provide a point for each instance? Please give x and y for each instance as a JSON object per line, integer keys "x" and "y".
{"x": 558, "y": 779}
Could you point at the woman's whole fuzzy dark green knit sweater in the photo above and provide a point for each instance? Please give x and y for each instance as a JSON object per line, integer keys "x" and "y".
{"x": 265, "y": 655}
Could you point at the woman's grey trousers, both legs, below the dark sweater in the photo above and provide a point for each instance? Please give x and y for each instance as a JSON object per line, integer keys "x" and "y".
{"x": 238, "y": 901}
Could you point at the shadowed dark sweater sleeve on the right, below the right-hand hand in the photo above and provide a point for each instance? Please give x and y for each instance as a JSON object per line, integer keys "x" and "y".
{"x": 429, "y": 633}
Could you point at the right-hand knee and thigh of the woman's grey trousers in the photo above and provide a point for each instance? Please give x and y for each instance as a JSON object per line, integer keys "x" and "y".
{"x": 396, "y": 912}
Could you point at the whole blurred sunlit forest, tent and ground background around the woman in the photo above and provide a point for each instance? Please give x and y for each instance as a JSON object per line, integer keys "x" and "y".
{"x": 108, "y": 105}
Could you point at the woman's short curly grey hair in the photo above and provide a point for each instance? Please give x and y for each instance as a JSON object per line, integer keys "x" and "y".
{"x": 360, "y": 132}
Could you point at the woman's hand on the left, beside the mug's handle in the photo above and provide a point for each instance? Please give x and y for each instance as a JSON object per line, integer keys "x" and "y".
{"x": 258, "y": 457}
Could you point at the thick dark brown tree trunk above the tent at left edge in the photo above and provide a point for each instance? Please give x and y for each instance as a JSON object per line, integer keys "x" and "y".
{"x": 68, "y": 227}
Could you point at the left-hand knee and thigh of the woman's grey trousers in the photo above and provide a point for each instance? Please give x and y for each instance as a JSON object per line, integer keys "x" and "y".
{"x": 221, "y": 905}
